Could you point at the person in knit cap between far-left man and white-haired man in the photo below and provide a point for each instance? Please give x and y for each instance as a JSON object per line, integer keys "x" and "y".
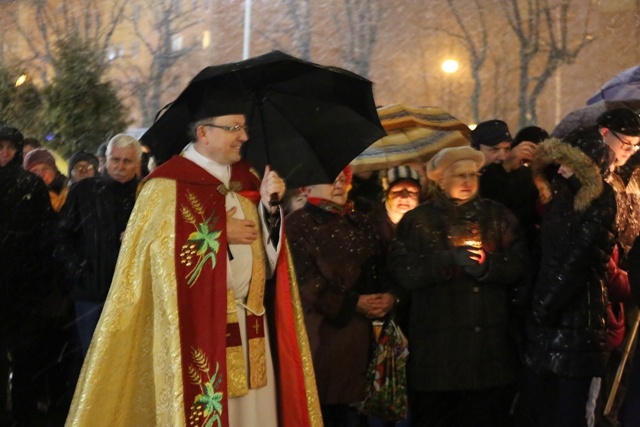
{"x": 41, "y": 162}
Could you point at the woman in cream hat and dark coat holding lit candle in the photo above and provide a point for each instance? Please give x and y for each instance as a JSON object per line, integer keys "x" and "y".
{"x": 460, "y": 258}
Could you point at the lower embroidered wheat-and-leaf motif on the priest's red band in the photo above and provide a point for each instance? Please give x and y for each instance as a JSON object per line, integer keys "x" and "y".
{"x": 207, "y": 406}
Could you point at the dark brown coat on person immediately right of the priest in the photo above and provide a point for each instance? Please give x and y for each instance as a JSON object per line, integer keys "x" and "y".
{"x": 334, "y": 258}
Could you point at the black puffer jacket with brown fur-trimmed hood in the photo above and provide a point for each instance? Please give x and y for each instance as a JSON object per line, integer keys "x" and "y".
{"x": 566, "y": 334}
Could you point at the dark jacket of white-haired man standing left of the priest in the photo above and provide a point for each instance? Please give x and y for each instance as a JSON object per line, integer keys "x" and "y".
{"x": 90, "y": 230}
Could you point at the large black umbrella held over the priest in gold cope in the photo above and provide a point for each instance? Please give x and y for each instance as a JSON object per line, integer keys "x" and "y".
{"x": 306, "y": 120}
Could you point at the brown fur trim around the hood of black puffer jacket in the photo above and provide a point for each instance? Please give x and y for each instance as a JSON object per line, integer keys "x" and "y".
{"x": 554, "y": 151}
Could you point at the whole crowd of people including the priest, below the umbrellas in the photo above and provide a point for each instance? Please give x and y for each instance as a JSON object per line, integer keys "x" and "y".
{"x": 204, "y": 292}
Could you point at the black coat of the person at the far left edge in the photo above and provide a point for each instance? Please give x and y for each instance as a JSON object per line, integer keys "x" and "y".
{"x": 26, "y": 220}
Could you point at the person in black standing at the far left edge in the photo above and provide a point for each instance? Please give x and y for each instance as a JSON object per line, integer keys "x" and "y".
{"x": 25, "y": 223}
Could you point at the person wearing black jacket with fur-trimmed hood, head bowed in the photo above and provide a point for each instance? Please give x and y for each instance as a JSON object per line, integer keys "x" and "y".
{"x": 566, "y": 337}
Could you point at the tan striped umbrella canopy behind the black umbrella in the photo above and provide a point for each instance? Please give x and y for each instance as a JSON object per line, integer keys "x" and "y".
{"x": 413, "y": 134}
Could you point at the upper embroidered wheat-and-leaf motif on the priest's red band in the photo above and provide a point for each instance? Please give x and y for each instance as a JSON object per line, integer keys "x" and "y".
{"x": 202, "y": 244}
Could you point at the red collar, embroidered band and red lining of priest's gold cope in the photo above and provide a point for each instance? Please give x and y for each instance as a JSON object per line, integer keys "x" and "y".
{"x": 200, "y": 266}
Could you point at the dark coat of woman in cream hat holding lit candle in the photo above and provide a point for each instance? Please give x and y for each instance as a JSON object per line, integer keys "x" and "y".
{"x": 460, "y": 324}
